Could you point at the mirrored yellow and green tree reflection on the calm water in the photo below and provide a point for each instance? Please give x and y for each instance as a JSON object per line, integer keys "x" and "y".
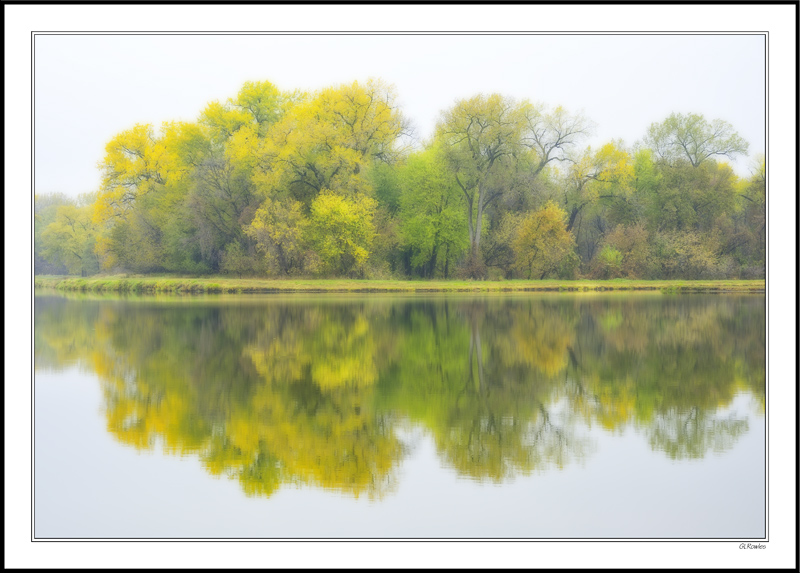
{"x": 278, "y": 394}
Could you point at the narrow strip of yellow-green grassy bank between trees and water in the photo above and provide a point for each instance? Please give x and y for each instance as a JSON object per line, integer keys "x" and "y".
{"x": 155, "y": 284}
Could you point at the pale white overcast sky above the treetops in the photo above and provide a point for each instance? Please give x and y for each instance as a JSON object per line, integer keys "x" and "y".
{"x": 90, "y": 87}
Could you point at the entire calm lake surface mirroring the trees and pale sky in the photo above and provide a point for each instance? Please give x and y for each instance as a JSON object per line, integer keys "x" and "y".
{"x": 494, "y": 416}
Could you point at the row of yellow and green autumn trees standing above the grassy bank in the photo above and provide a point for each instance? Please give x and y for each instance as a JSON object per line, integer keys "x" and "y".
{"x": 332, "y": 183}
